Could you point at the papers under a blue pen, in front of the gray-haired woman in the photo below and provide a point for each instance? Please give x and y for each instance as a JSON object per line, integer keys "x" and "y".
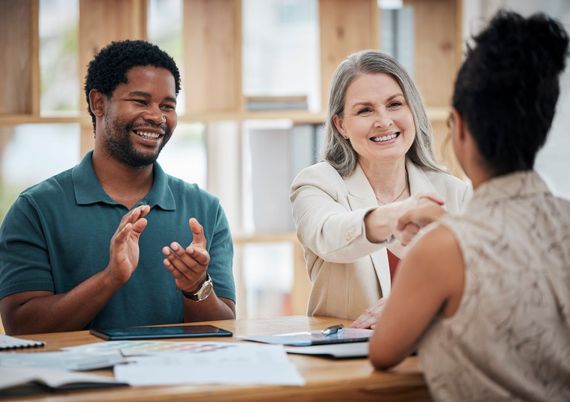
{"x": 347, "y": 335}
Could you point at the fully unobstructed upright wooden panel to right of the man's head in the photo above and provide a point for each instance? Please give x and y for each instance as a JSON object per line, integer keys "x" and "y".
{"x": 212, "y": 56}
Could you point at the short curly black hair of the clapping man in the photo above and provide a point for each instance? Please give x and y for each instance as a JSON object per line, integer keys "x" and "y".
{"x": 110, "y": 66}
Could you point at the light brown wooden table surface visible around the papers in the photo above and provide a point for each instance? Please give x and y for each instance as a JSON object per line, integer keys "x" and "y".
{"x": 326, "y": 379}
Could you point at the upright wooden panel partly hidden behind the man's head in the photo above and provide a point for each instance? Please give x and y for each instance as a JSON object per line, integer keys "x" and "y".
{"x": 101, "y": 22}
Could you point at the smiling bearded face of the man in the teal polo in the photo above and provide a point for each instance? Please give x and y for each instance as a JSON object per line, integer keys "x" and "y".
{"x": 140, "y": 116}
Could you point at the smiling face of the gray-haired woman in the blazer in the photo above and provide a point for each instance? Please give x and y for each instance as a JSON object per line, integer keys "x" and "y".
{"x": 376, "y": 119}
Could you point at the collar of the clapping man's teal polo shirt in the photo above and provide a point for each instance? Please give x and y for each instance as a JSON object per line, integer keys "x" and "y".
{"x": 88, "y": 190}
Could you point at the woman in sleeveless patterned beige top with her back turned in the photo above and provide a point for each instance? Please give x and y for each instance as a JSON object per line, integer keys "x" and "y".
{"x": 494, "y": 322}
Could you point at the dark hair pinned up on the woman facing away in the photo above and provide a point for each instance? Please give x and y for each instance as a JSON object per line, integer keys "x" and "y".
{"x": 508, "y": 86}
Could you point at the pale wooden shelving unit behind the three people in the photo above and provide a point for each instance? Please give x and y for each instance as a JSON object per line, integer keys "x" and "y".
{"x": 212, "y": 49}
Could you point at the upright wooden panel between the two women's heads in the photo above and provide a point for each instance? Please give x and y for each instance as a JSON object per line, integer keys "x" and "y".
{"x": 437, "y": 56}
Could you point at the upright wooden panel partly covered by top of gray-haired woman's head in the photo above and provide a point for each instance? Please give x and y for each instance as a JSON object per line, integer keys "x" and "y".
{"x": 345, "y": 27}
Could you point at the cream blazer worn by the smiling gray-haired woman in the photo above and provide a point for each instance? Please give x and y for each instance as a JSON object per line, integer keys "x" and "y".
{"x": 349, "y": 273}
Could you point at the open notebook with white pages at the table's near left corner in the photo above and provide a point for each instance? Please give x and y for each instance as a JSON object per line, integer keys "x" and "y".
{"x": 25, "y": 381}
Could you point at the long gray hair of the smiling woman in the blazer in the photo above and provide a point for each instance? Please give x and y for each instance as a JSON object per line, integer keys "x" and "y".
{"x": 337, "y": 150}
